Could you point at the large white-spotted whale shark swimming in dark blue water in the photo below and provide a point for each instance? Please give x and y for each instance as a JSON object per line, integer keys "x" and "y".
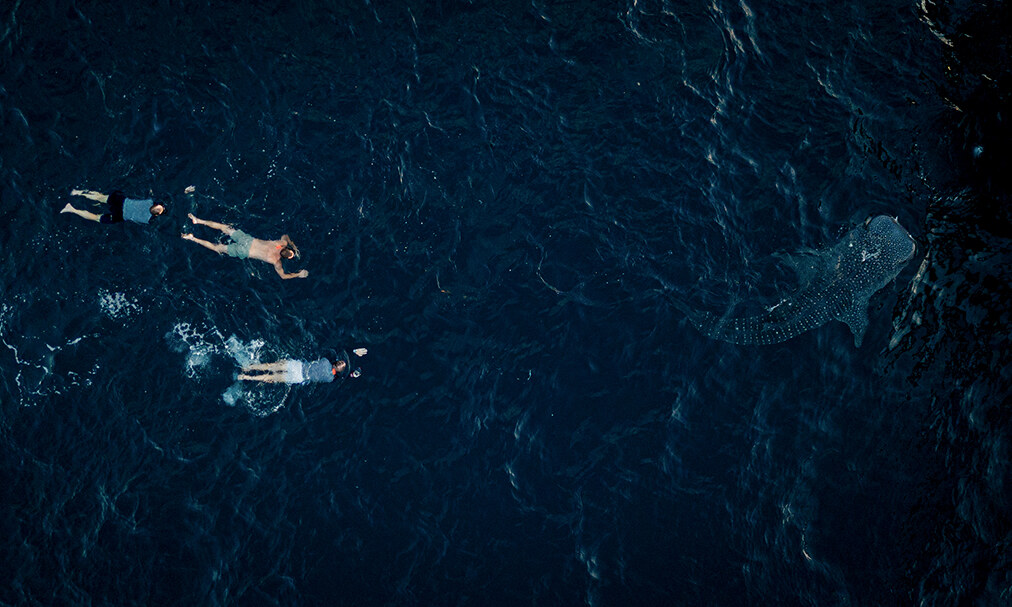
{"x": 840, "y": 284}
